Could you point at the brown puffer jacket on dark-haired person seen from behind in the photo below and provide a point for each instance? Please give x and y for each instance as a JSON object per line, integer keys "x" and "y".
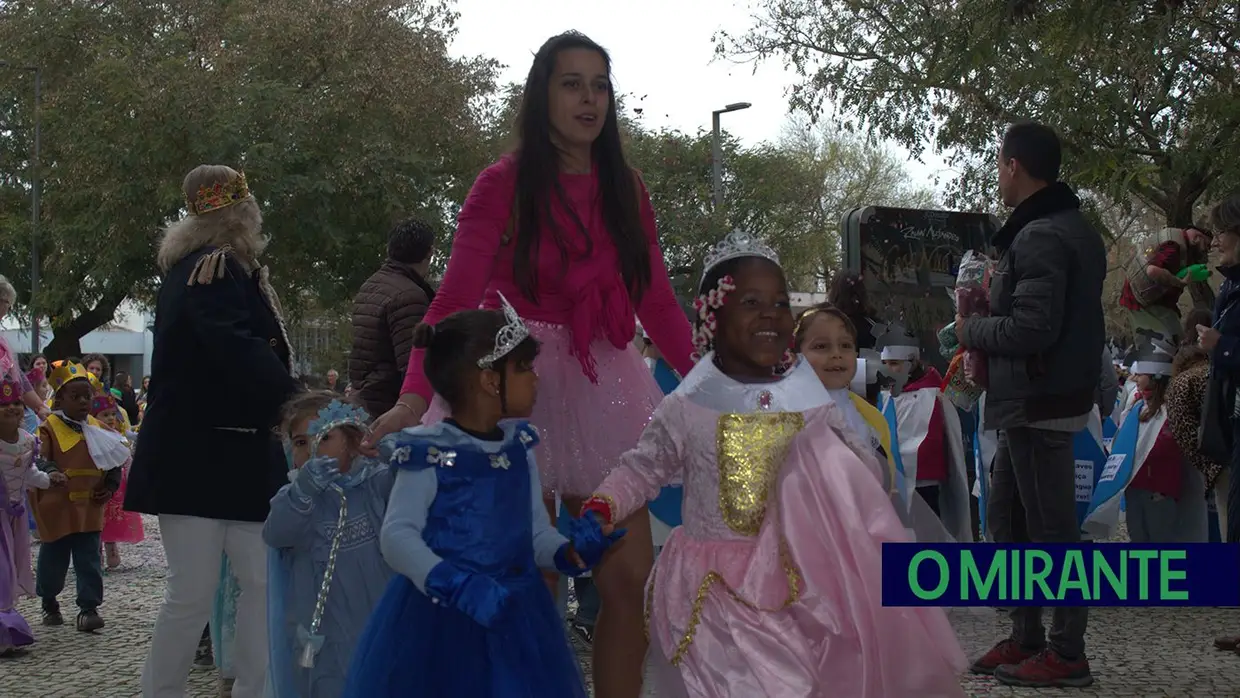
{"x": 387, "y": 308}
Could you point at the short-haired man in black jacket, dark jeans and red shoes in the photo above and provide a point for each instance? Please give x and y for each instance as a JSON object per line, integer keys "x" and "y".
{"x": 1042, "y": 340}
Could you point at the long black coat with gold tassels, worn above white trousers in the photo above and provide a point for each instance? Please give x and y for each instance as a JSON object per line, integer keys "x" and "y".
{"x": 220, "y": 374}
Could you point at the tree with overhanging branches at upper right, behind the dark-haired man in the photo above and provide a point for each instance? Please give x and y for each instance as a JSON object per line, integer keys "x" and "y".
{"x": 1143, "y": 92}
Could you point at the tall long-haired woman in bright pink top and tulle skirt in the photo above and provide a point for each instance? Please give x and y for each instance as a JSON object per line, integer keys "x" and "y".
{"x": 565, "y": 229}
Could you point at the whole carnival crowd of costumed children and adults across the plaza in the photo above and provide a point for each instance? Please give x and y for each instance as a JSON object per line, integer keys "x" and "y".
{"x": 530, "y": 420}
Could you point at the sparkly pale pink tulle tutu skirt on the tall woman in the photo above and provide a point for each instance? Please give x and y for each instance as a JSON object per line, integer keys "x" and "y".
{"x": 585, "y": 428}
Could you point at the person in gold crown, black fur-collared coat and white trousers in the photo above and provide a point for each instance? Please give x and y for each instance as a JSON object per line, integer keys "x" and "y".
{"x": 208, "y": 461}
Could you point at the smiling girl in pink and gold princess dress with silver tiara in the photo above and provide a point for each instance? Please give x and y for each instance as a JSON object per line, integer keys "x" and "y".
{"x": 772, "y": 587}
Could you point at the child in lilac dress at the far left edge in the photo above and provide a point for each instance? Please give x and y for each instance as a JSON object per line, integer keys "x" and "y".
{"x": 18, "y": 473}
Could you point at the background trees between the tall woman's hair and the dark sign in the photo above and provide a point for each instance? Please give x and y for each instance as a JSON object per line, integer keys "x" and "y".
{"x": 793, "y": 193}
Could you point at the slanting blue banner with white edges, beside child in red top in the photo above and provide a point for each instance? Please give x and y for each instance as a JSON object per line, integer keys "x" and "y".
{"x": 1129, "y": 451}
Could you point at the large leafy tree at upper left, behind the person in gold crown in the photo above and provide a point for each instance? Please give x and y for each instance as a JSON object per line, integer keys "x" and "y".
{"x": 347, "y": 115}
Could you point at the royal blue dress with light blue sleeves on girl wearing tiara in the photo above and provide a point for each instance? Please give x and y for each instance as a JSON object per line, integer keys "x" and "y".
{"x": 477, "y": 506}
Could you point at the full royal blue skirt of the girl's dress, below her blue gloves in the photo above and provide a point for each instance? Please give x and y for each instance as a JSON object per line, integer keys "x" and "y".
{"x": 416, "y": 649}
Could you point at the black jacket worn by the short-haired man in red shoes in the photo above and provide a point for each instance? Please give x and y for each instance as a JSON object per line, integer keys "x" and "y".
{"x": 1046, "y": 332}
